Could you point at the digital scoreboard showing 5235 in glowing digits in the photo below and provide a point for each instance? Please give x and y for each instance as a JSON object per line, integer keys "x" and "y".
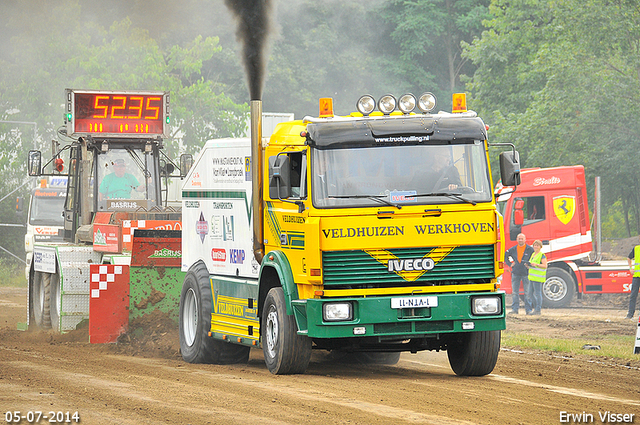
{"x": 117, "y": 114}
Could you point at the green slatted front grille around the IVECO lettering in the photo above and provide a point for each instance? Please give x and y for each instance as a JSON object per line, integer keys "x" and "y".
{"x": 453, "y": 266}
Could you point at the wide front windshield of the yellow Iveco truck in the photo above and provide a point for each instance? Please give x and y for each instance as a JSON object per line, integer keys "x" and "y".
{"x": 400, "y": 175}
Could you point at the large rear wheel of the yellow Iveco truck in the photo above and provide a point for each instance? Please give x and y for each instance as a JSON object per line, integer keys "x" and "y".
{"x": 195, "y": 323}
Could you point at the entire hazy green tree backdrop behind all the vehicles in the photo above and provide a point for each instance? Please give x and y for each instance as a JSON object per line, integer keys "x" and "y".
{"x": 558, "y": 78}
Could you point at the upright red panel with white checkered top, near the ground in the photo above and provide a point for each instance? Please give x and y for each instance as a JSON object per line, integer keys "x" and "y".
{"x": 108, "y": 302}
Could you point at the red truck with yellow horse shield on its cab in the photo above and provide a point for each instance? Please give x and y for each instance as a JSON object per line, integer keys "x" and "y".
{"x": 551, "y": 205}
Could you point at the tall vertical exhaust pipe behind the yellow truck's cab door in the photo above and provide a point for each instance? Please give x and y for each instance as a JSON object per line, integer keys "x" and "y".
{"x": 256, "y": 179}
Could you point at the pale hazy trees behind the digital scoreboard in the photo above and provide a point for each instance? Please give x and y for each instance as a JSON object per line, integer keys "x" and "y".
{"x": 76, "y": 53}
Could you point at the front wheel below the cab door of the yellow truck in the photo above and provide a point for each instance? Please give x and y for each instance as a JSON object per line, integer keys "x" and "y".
{"x": 285, "y": 352}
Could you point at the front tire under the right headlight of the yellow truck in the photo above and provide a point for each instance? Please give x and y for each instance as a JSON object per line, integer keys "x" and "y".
{"x": 474, "y": 353}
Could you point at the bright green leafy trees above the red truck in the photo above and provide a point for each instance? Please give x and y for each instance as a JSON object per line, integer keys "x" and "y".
{"x": 561, "y": 91}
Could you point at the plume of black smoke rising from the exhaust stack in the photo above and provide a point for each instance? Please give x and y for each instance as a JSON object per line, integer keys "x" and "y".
{"x": 254, "y": 21}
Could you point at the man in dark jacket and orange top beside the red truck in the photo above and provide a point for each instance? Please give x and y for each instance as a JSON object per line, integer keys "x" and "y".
{"x": 517, "y": 257}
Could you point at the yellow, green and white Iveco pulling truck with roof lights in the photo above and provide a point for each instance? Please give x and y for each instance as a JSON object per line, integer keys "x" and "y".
{"x": 368, "y": 235}
